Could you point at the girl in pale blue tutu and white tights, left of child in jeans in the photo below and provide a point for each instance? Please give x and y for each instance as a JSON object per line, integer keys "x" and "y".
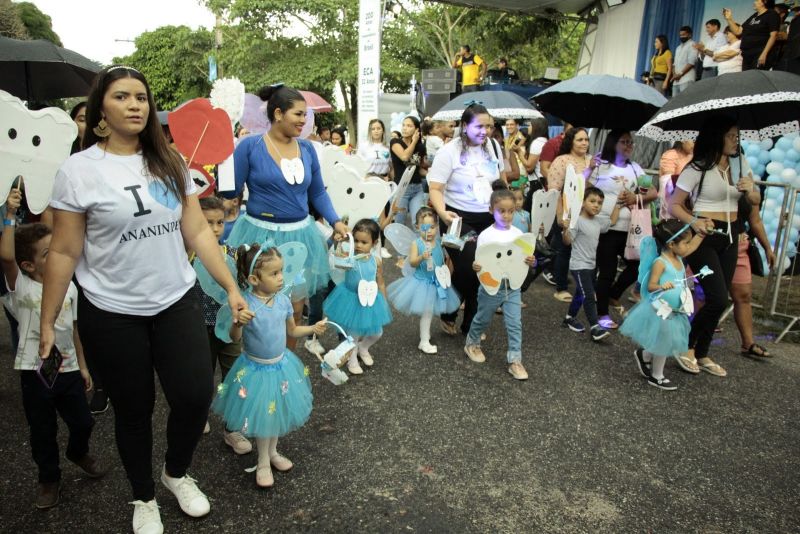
{"x": 426, "y": 292}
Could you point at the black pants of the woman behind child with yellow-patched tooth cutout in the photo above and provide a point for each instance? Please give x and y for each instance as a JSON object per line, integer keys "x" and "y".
{"x": 465, "y": 281}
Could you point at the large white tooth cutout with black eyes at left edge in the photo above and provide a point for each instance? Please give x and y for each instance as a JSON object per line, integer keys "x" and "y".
{"x": 33, "y": 144}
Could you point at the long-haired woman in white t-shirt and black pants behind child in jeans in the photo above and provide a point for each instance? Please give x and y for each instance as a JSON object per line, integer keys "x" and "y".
{"x": 460, "y": 183}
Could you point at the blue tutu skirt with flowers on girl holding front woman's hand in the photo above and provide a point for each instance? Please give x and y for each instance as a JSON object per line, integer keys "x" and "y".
{"x": 265, "y": 400}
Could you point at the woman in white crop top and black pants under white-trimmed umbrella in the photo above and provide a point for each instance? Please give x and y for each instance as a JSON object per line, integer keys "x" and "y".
{"x": 715, "y": 179}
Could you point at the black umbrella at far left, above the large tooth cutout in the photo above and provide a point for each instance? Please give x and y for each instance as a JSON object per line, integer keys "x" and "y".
{"x": 39, "y": 70}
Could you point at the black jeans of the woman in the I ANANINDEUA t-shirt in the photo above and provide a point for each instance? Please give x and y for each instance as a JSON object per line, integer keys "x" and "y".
{"x": 128, "y": 348}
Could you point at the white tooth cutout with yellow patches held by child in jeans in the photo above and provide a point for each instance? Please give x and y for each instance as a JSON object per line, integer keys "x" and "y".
{"x": 504, "y": 260}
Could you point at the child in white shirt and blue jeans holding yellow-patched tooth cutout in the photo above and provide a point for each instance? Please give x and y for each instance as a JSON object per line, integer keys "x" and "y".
{"x": 502, "y": 206}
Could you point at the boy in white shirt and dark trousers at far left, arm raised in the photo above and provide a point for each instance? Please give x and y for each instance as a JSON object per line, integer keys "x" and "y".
{"x": 25, "y": 251}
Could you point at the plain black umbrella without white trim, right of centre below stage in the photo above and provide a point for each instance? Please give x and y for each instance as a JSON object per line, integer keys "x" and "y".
{"x": 601, "y": 101}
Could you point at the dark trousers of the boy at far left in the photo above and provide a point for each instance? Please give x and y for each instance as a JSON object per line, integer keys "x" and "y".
{"x": 67, "y": 399}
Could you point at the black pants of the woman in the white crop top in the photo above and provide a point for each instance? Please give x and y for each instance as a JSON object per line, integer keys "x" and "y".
{"x": 720, "y": 255}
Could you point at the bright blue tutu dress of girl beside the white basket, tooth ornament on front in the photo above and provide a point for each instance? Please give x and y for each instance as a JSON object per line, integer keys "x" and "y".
{"x": 342, "y": 305}
